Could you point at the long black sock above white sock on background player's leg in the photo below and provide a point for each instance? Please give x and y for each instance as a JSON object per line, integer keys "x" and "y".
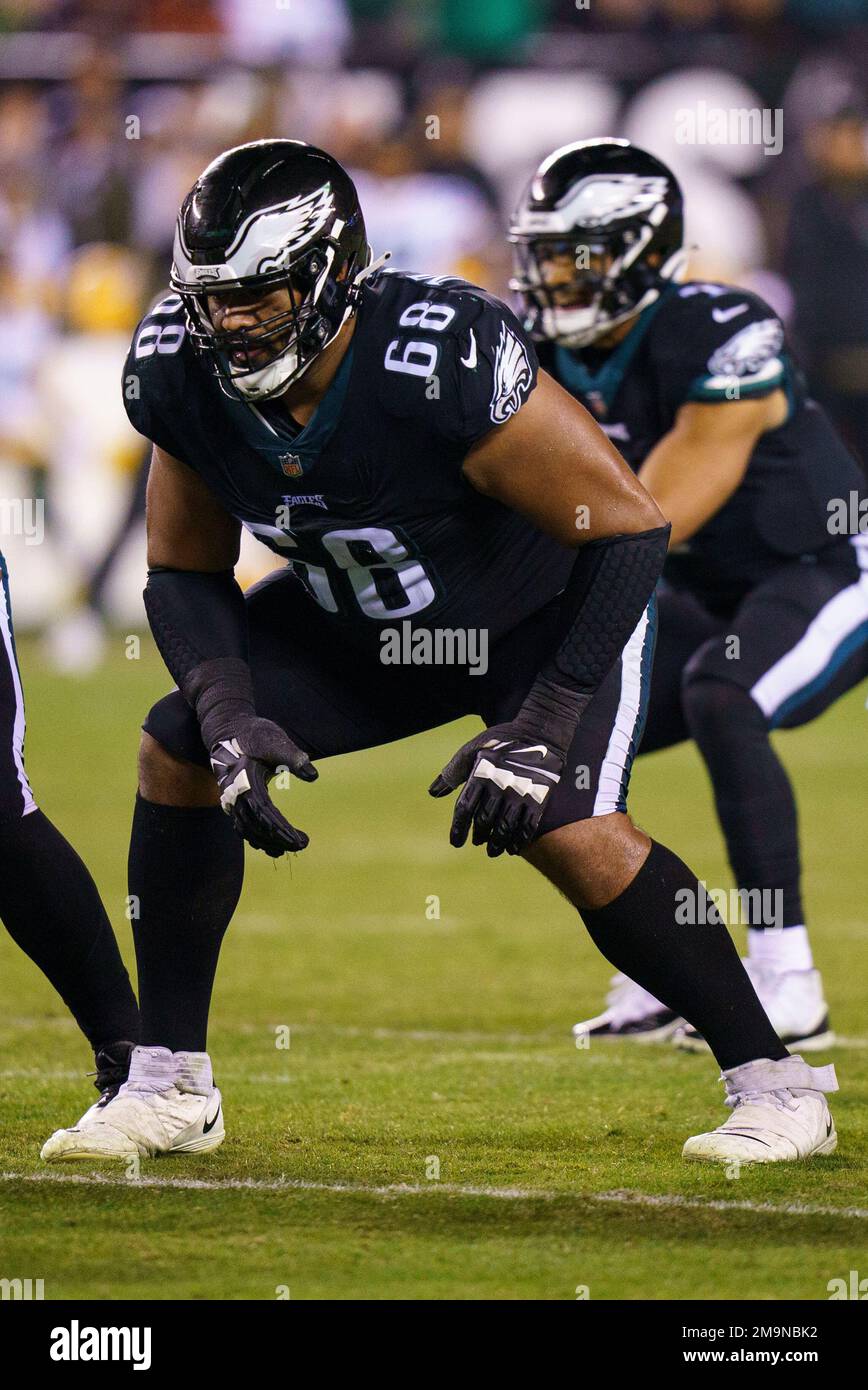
{"x": 753, "y": 794}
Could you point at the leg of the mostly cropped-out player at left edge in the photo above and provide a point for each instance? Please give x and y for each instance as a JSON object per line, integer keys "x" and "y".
{"x": 49, "y": 903}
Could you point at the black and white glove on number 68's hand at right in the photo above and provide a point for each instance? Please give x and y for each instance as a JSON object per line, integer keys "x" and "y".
{"x": 508, "y": 782}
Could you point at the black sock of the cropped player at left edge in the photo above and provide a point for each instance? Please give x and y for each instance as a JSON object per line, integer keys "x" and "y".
{"x": 52, "y": 910}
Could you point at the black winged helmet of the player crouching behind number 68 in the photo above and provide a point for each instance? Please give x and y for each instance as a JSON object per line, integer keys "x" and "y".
{"x": 597, "y": 236}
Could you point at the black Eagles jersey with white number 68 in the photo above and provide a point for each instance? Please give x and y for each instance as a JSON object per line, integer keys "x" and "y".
{"x": 368, "y": 502}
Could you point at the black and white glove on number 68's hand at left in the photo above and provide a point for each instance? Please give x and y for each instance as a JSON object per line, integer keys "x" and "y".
{"x": 244, "y": 765}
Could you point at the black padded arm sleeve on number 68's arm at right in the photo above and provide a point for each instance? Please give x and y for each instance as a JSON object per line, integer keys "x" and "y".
{"x": 606, "y": 597}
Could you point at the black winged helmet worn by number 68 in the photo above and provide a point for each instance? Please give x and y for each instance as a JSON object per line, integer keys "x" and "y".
{"x": 275, "y": 213}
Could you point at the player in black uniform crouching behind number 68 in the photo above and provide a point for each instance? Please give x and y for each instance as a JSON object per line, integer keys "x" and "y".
{"x": 764, "y": 607}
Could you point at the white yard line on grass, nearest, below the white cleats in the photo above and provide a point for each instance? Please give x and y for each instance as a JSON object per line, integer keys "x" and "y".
{"x": 303, "y": 1185}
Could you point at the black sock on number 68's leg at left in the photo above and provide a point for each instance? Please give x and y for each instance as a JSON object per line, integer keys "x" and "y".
{"x": 186, "y": 876}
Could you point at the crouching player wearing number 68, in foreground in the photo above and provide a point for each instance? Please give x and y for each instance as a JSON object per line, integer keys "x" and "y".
{"x": 392, "y": 439}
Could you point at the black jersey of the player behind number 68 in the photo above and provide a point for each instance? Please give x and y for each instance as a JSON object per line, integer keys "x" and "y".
{"x": 712, "y": 343}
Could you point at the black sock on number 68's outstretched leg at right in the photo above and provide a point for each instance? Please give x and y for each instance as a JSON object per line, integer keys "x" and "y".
{"x": 693, "y": 968}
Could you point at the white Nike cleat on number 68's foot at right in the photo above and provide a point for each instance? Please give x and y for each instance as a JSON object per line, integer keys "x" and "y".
{"x": 780, "y": 1114}
